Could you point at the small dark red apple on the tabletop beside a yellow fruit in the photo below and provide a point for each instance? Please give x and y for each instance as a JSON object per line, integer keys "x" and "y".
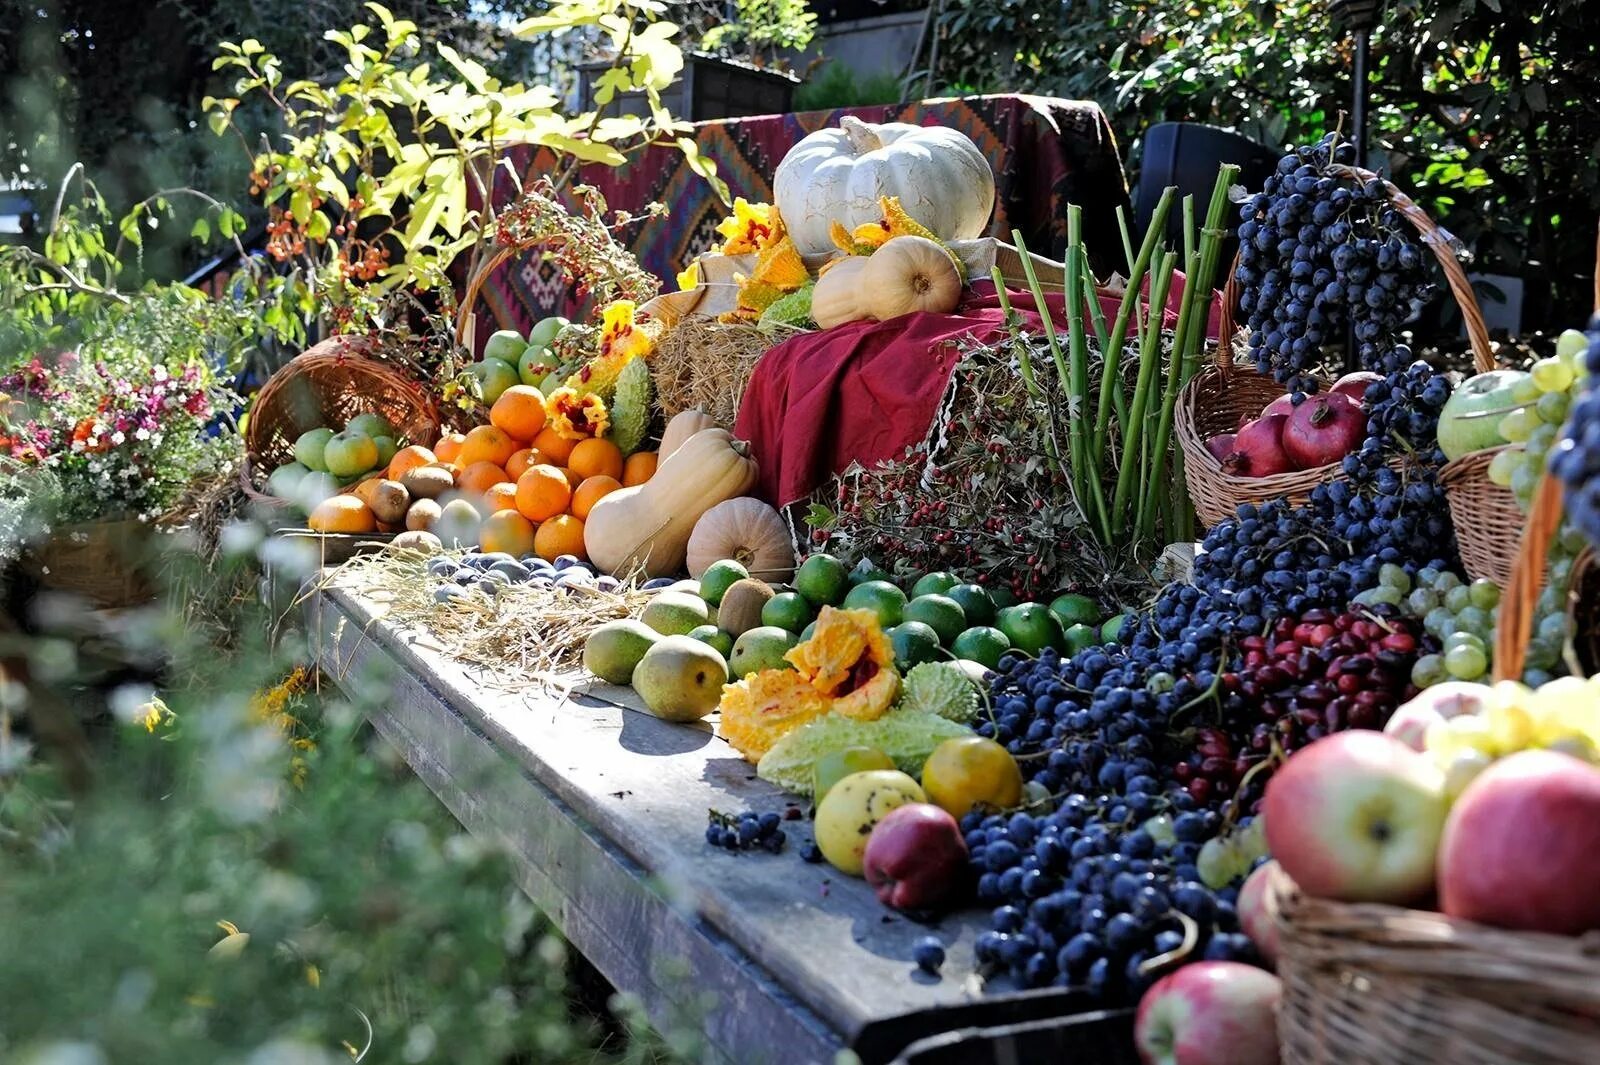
{"x": 916, "y": 858}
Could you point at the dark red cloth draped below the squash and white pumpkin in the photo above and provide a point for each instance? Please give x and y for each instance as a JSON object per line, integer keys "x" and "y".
{"x": 870, "y": 389}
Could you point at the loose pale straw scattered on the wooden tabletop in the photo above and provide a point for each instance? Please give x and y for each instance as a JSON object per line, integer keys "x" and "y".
{"x": 526, "y": 637}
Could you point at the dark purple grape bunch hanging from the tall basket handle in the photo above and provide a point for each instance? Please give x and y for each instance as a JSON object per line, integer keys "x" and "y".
{"x": 1324, "y": 257}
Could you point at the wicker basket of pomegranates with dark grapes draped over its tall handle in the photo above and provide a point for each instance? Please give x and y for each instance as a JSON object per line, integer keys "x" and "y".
{"x": 1220, "y": 396}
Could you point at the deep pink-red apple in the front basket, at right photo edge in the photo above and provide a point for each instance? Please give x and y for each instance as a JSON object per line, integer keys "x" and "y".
{"x": 1522, "y": 847}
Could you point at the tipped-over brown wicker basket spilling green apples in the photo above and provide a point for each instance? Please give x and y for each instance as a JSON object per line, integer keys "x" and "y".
{"x": 329, "y": 385}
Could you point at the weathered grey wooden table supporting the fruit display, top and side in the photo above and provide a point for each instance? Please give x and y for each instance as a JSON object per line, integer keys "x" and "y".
{"x": 604, "y": 812}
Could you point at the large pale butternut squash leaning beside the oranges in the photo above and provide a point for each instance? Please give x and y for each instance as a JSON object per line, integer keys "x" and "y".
{"x": 649, "y": 527}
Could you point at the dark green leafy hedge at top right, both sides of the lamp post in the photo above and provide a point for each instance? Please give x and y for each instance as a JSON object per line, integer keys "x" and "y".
{"x": 1486, "y": 111}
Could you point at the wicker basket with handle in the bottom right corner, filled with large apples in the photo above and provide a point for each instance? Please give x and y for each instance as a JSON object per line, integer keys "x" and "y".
{"x": 1369, "y": 984}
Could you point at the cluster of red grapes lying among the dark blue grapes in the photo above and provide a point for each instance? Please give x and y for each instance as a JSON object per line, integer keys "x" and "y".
{"x": 1311, "y": 676}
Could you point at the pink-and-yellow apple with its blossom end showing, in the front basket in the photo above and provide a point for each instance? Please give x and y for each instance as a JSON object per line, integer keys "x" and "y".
{"x": 1358, "y": 818}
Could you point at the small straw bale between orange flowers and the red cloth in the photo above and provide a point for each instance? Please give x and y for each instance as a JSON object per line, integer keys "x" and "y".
{"x": 706, "y": 364}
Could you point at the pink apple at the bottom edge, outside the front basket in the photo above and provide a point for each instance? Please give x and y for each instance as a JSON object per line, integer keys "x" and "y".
{"x": 1212, "y": 1013}
